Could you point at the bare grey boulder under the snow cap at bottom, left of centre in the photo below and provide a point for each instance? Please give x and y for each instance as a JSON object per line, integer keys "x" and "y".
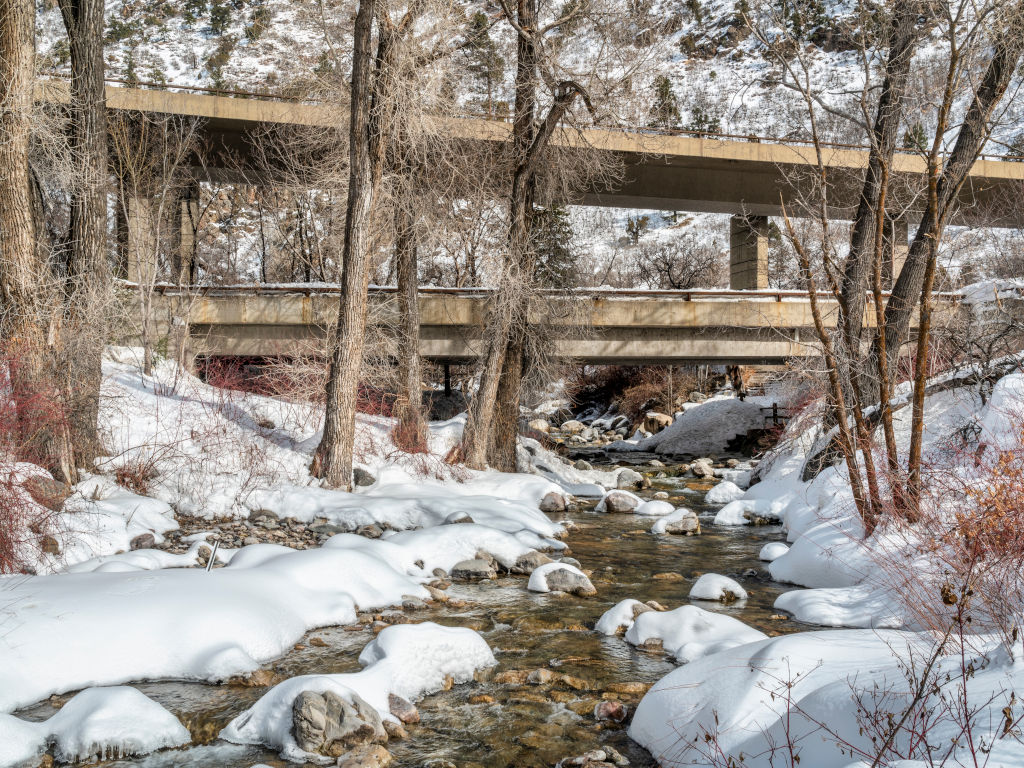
{"x": 327, "y": 724}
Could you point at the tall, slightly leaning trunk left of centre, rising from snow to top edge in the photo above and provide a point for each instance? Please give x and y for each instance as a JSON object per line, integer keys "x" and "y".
{"x": 333, "y": 460}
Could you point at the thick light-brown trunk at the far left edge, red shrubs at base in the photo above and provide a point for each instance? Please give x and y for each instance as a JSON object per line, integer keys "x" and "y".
{"x": 28, "y": 323}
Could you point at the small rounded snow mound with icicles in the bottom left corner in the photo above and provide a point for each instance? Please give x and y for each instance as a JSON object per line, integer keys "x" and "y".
{"x": 104, "y": 723}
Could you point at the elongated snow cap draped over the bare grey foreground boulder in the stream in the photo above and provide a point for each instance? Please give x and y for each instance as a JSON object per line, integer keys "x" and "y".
{"x": 409, "y": 661}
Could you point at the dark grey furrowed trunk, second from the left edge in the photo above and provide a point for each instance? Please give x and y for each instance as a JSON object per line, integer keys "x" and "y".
{"x": 89, "y": 275}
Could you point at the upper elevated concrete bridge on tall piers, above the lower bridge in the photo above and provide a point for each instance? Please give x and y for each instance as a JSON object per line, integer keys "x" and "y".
{"x": 748, "y": 178}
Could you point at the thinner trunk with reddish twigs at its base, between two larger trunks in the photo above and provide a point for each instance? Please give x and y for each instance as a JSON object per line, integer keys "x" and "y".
{"x": 412, "y": 426}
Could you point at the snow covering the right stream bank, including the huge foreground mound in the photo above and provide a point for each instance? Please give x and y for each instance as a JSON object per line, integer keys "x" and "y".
{"x": 824, "y": 697}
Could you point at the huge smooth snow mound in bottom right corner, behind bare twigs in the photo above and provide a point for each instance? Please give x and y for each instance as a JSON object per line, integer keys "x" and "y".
{"x": 739, "y": 697}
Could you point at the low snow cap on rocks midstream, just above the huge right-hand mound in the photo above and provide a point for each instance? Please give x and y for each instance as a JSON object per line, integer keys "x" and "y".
{"x": 689, "y": 632}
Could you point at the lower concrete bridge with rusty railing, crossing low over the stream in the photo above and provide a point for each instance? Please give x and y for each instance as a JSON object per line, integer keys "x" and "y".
{"x": 599, "y": 328}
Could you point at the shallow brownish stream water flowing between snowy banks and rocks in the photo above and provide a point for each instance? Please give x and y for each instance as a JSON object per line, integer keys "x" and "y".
{"x": 493, "y": 726}
